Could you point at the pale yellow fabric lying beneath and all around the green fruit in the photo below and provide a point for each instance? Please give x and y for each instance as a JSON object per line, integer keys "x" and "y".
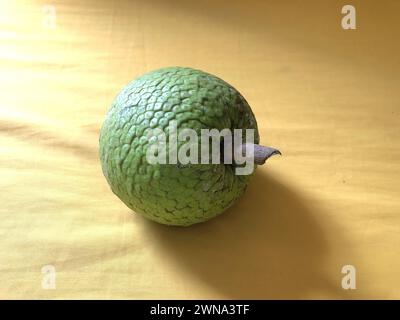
{"x": 327, "y": 97}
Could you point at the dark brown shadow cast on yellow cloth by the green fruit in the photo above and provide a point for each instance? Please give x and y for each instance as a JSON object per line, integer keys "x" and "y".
{"x": 268, "y": 245}
